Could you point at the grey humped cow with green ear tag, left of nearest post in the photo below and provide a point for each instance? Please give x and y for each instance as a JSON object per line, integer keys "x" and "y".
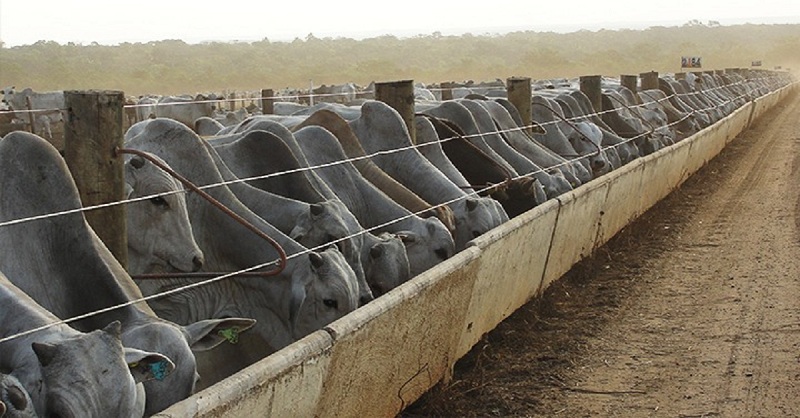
{"x": 62, "y": 264}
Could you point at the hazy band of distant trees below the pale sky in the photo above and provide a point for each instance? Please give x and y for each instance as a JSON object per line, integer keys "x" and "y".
{"x": 173, "y": 66}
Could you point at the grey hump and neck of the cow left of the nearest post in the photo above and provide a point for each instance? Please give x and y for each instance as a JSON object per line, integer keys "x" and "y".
{"x": 59, "y": 261}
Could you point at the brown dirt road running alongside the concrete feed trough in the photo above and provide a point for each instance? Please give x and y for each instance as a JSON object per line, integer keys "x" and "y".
{"x": 691, "y": 311}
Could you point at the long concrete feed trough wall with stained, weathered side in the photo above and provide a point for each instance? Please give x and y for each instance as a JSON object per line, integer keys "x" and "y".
{"x": 382, "y": 357}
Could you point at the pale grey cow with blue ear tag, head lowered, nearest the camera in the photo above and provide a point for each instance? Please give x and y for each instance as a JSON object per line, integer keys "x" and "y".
{"x": 70, "y": 373}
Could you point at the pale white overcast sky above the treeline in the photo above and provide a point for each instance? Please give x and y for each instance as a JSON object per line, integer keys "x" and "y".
{"x": 110, "y": 22}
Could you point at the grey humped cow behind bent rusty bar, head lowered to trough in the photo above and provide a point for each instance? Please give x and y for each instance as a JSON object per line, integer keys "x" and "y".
{"x": 314, "y": 289}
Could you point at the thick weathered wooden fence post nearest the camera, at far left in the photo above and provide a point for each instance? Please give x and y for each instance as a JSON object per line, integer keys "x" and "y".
{"x": 92, "y": 132}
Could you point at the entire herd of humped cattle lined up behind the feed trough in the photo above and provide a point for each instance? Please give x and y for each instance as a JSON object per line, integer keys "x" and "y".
{"x": 353, "y": 208}
